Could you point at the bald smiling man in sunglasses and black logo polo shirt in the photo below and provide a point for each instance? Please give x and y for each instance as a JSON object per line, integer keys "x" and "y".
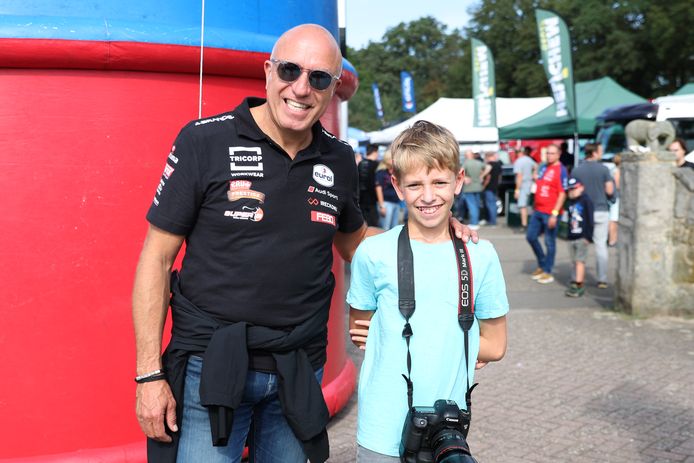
{"x": 260, "y": 195}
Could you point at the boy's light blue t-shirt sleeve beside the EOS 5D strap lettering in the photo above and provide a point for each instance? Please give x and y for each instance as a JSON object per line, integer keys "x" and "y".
{"x": 491, "y": 300}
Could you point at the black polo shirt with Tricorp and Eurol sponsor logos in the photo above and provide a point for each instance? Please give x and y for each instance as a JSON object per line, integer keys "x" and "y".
{"x": 259, "y": 226}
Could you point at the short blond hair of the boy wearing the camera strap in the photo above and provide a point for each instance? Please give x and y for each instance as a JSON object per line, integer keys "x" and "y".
{"x": 425, "y": 144}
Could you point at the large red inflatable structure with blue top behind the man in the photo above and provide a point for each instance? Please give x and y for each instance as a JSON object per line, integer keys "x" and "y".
{"x": 85, "y": 126}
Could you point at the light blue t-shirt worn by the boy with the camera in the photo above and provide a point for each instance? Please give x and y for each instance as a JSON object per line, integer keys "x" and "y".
{"x": 437, "y": 346}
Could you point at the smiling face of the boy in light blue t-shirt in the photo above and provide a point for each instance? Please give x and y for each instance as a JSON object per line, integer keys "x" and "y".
{"x": 429, "y": 196}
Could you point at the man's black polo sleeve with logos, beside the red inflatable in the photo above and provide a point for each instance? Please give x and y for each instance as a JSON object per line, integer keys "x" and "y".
{"x": 179, "y": 194}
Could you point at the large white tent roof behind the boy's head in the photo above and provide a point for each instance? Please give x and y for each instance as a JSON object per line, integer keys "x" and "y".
{"x": 456, "y": 114}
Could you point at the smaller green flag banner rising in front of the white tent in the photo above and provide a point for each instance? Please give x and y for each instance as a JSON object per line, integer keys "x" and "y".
{"x": 483, "y": 83}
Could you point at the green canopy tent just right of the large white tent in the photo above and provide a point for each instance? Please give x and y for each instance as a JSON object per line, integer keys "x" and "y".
{"x": 592, "y": 98}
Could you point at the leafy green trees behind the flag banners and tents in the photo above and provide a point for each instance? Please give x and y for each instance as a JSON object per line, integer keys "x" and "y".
{"x": 645, "y": 45}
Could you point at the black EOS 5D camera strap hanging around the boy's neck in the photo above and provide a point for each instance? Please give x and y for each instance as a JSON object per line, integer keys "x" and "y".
{"x": 406, "y": 301}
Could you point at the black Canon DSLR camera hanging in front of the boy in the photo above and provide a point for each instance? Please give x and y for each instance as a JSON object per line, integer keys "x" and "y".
{"x": 436, "y": 434}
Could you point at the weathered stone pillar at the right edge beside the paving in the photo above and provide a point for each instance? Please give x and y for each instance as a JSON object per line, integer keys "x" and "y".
{"x": 655, "y": 274}
